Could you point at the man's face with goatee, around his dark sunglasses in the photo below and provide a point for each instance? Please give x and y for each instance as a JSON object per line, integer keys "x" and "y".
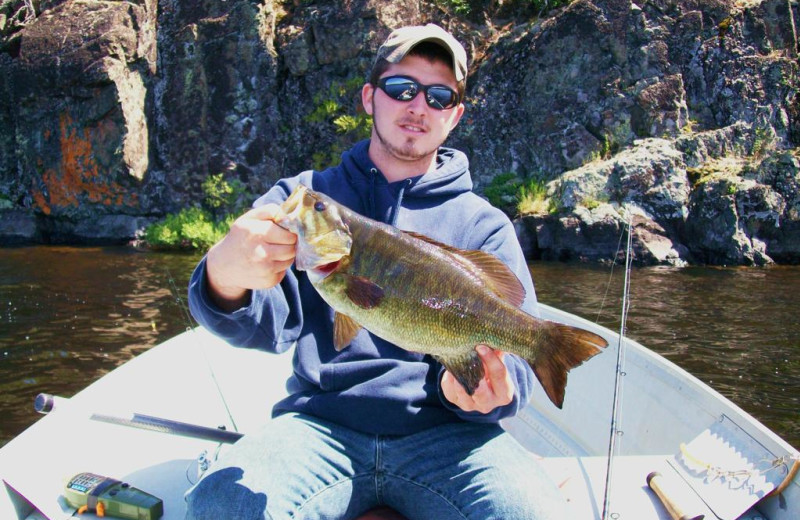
{"x": 411, "y": 130}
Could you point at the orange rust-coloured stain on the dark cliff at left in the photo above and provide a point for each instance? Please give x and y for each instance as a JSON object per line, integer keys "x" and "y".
{"x": 78, "y": 177}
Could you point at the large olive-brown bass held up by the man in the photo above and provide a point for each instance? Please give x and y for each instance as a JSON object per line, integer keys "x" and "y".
{"x": 424, "y": 296}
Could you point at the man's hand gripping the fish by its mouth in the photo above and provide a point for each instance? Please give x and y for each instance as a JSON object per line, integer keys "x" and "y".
{"x": 255, "y": 254}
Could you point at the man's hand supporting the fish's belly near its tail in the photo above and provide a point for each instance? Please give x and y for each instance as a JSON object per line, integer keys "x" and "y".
{"x": 495, "y": 389}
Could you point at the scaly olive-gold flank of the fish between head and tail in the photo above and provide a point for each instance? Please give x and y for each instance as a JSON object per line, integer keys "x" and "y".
{"x": 429, "y": 303}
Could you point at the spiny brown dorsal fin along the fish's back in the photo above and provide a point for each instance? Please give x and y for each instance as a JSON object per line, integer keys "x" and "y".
{"x": 488, "y": 268}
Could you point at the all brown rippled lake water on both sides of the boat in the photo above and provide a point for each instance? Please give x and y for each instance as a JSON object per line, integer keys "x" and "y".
{"x": 70, "y": 315}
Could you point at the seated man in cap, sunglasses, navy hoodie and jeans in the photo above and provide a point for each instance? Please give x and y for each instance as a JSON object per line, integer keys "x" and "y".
{"x": 373, "y": 425}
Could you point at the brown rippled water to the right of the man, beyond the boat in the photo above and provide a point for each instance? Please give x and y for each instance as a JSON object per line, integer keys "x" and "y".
{"x": 736, "y": 329}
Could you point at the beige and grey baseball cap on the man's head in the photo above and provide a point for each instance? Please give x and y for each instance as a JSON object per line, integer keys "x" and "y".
{"x": 402, "y": 40}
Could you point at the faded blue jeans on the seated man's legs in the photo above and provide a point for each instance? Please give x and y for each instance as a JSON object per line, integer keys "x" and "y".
{"x": 302, "y": 467}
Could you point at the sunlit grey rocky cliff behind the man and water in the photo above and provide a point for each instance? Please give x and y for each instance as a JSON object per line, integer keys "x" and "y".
{"x": 681, "y": 117}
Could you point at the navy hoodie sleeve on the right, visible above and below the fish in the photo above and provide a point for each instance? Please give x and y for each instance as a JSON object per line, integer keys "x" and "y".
{"x": 491, "y": 231}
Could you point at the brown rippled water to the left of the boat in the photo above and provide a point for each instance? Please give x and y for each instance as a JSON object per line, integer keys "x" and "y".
{"x": 70, "y": 315}
